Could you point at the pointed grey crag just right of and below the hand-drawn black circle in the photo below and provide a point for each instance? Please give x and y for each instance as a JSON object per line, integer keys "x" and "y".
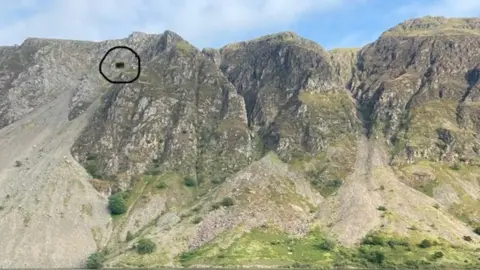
{"x": 181, "y": 115}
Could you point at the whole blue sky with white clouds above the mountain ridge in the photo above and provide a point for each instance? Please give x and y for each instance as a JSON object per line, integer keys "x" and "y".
{"x": 214, "y": 23}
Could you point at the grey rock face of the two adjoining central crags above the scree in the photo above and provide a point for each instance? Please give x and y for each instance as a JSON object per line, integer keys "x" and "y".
{"x": 185, "y": 115}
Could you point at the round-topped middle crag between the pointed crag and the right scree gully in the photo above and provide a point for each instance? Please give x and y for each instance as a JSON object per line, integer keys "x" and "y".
{"x": 296, "y": 98}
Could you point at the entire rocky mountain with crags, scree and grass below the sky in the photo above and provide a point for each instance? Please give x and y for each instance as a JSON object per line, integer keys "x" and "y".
{"x": 272, "y": 152}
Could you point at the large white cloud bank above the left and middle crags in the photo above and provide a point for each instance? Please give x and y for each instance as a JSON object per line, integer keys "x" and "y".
{"x": 200, "y": 21}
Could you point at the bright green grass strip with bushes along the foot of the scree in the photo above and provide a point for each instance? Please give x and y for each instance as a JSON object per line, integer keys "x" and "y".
{"x": 271, "y": 247}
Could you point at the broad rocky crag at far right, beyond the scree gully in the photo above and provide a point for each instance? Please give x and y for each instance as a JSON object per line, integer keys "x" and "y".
{"x": 417, "y": 84}
